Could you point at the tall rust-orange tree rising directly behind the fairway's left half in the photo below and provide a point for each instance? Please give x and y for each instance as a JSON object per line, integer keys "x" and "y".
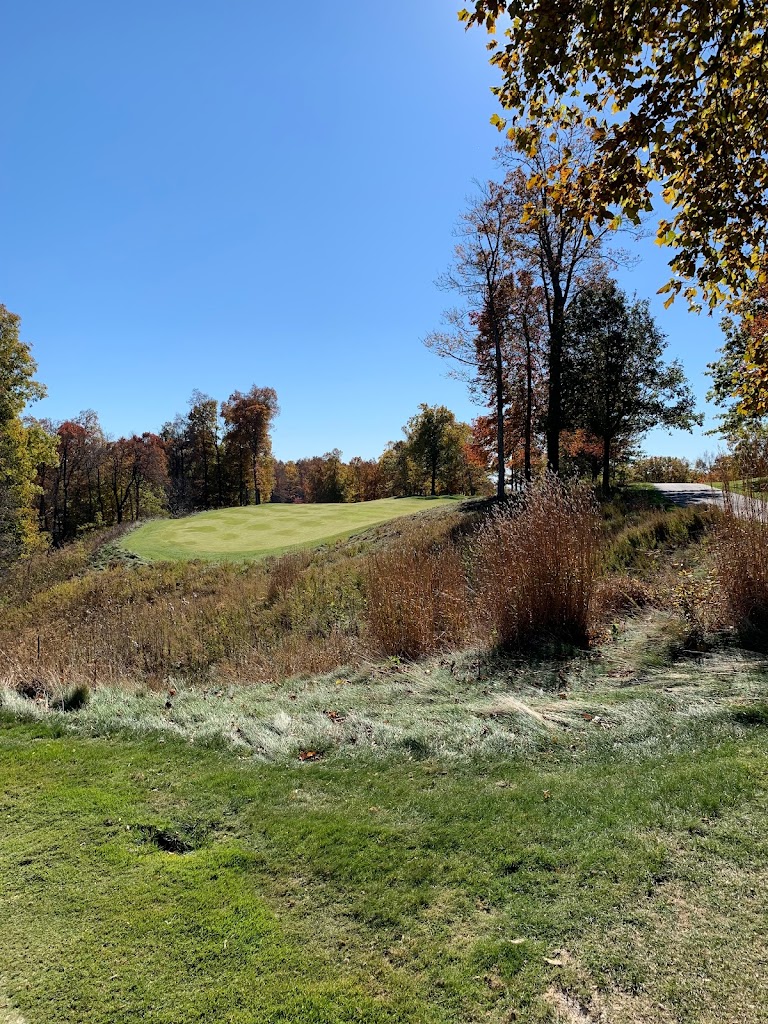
{"x": 248, "y": 443}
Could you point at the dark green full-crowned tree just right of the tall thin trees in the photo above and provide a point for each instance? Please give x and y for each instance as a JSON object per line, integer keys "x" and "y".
{"x": 617, "y": 383}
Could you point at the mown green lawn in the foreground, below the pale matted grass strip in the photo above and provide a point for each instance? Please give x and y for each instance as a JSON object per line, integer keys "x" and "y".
{"x": 146, "y": 881}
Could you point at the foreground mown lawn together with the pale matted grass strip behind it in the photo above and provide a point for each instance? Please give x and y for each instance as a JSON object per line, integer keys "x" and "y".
{"x": 581, "y": 840}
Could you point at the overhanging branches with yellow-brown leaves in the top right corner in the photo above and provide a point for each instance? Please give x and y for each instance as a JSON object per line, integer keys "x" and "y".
{"x": 672, "y": 94}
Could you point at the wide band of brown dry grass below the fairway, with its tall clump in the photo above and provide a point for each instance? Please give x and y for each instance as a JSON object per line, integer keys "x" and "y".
{"x": 405, "y": 590}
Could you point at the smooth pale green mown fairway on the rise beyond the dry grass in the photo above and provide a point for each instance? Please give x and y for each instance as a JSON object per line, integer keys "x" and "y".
{"x": 267, "y": 530}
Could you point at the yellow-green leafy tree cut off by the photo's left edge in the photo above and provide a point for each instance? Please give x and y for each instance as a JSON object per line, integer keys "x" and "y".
{"x": 23, "y": 447}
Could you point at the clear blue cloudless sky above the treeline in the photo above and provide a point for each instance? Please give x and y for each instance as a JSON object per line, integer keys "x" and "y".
{"x": 211, "y": 196}
